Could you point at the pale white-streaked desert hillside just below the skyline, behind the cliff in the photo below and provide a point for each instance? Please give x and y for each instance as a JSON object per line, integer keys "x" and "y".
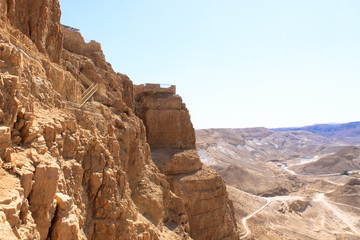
{"x": 249, "y": 145}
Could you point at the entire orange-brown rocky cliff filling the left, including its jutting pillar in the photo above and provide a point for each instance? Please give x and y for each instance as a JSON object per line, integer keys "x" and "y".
{"x": 89, "y": 173}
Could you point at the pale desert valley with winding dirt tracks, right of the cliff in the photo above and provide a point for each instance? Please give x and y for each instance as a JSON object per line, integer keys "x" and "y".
{"x": 291, "y": 184}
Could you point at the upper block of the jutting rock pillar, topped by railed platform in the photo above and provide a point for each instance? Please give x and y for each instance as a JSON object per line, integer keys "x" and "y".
{"x": 166, "y": 118}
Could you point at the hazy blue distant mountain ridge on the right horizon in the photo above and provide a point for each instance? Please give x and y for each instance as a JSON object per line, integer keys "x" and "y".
{"x": 347, "y": 132}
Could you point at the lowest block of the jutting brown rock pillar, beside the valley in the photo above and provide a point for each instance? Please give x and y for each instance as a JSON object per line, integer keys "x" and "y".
{"x": 206, "y": 204}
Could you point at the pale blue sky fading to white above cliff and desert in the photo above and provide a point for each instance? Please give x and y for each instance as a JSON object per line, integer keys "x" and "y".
{"x": 236, "y": 63}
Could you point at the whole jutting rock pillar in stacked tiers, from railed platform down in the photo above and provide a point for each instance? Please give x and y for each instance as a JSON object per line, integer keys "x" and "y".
{"x": 172, "y": 141}
